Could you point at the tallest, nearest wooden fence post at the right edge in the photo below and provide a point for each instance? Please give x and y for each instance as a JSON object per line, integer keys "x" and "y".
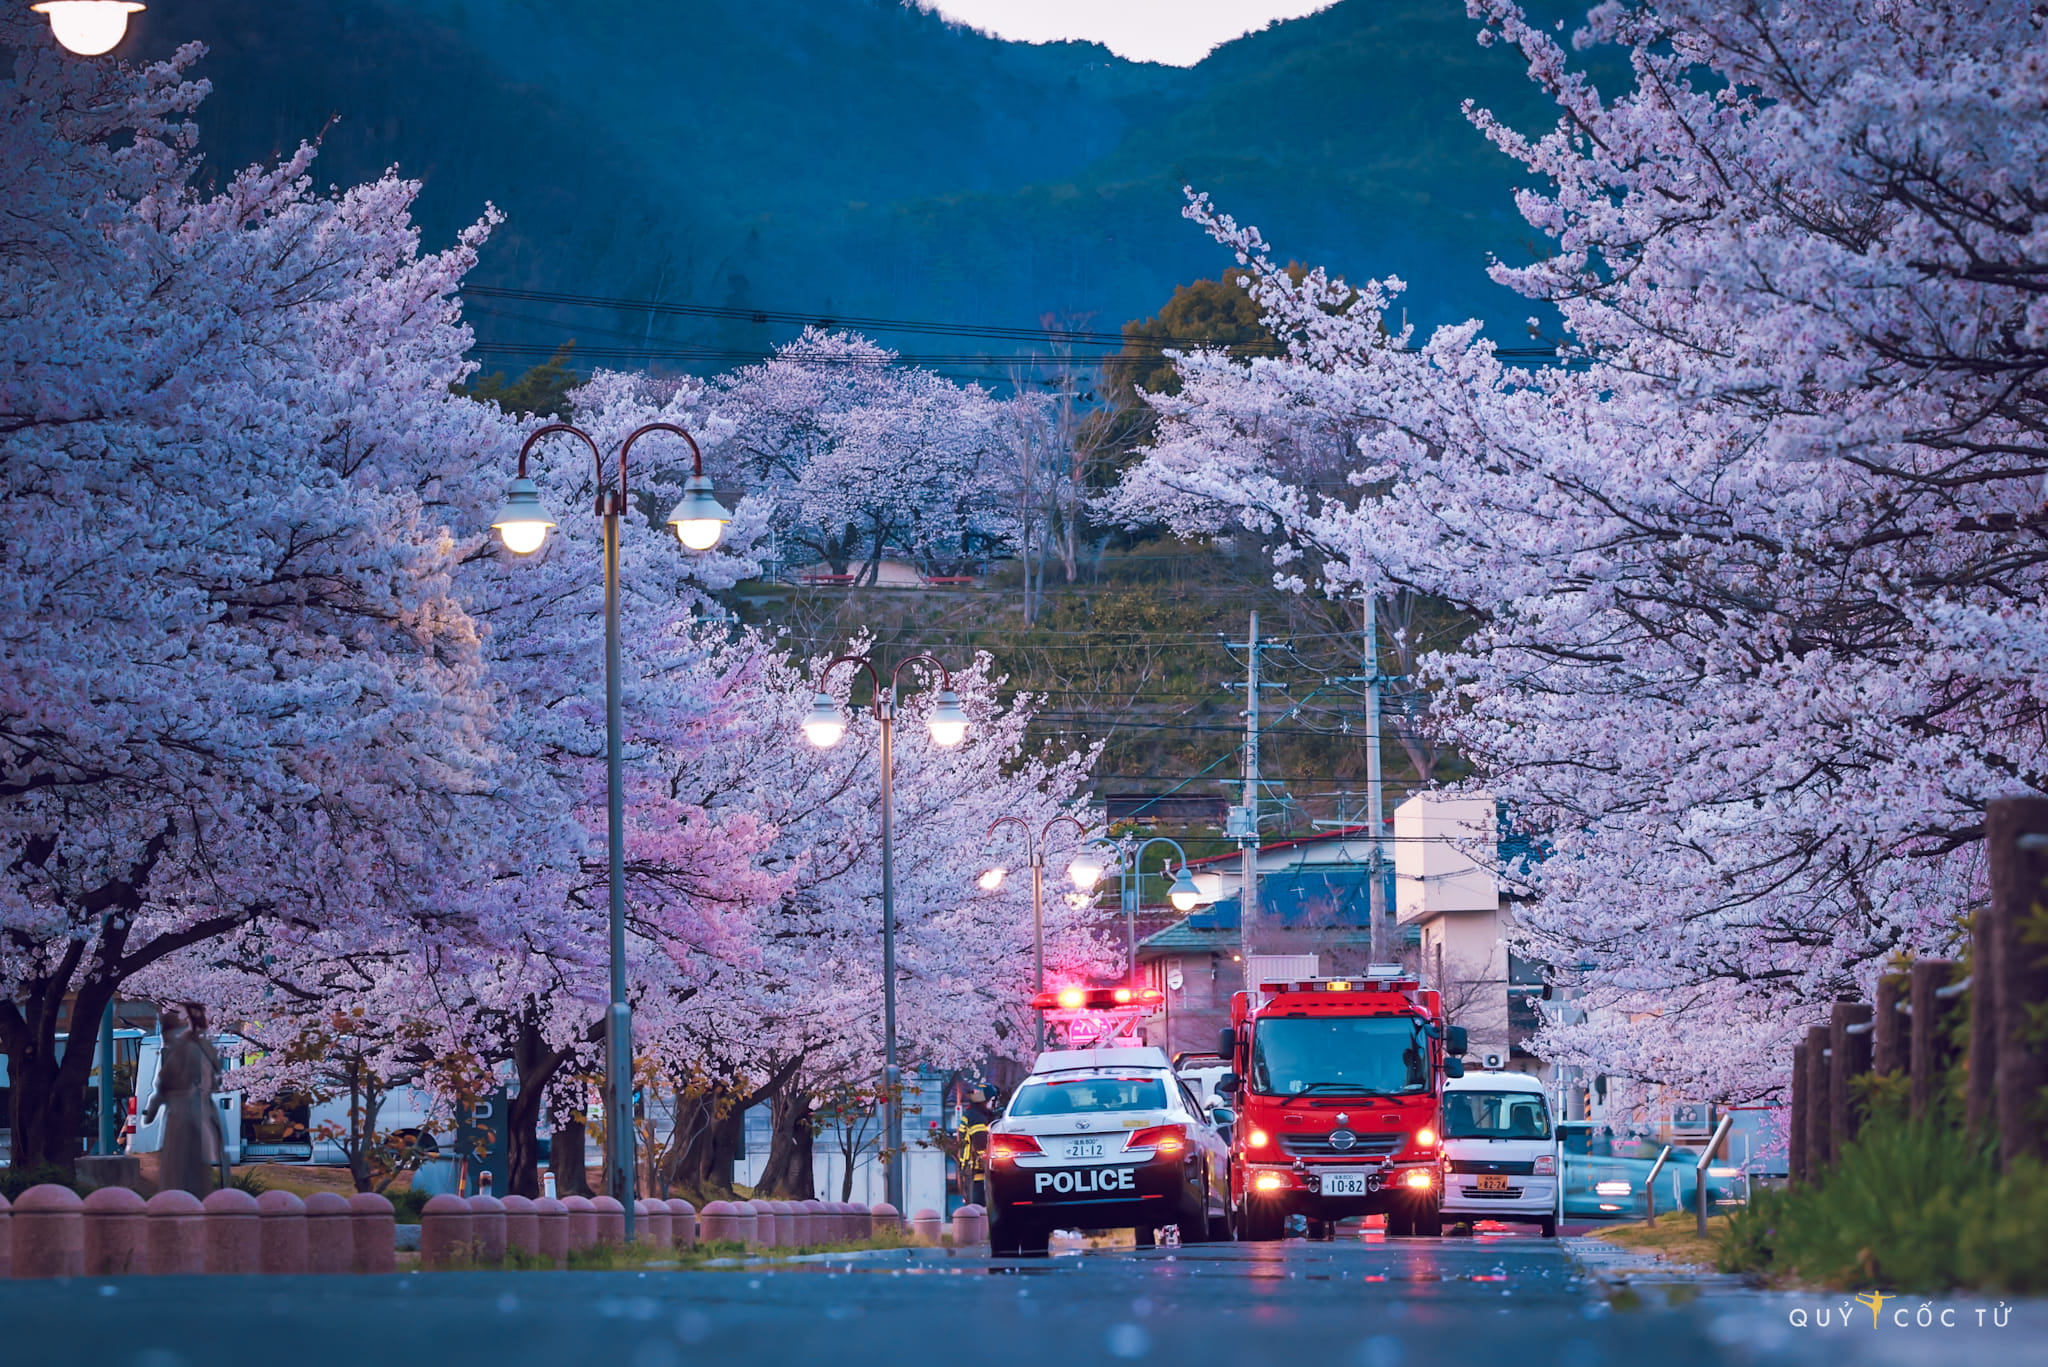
{"x": 2016, "y": 833}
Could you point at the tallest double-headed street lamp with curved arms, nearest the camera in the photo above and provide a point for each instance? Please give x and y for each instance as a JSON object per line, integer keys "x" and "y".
{"x": 523, "y": 526}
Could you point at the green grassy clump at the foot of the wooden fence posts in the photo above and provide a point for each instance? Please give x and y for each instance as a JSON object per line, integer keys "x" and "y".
{"x": 1910, "y": 1206}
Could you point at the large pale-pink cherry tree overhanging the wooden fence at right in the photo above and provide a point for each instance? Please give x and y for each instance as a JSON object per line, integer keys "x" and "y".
{"x": 1756, "y": 565}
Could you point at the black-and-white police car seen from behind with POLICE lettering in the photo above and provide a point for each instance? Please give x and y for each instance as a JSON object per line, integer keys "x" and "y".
{"x": 1105, "y": 1138}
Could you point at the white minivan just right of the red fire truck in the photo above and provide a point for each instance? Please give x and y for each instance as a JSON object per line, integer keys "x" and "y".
{"x": 1500, "y": 1151}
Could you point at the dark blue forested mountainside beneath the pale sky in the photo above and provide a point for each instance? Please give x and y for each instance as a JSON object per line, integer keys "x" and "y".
{"x": 865, "y": 159}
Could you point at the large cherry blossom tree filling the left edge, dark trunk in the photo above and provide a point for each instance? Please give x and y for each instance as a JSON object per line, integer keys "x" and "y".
{"x": 241, "y": 679}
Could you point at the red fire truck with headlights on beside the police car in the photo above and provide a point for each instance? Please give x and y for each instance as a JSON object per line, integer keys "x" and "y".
{"x": 1338, "y": 1087}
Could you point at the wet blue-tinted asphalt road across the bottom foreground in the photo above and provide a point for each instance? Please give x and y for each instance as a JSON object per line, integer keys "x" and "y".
{"x": 1502, "y": 1300}
